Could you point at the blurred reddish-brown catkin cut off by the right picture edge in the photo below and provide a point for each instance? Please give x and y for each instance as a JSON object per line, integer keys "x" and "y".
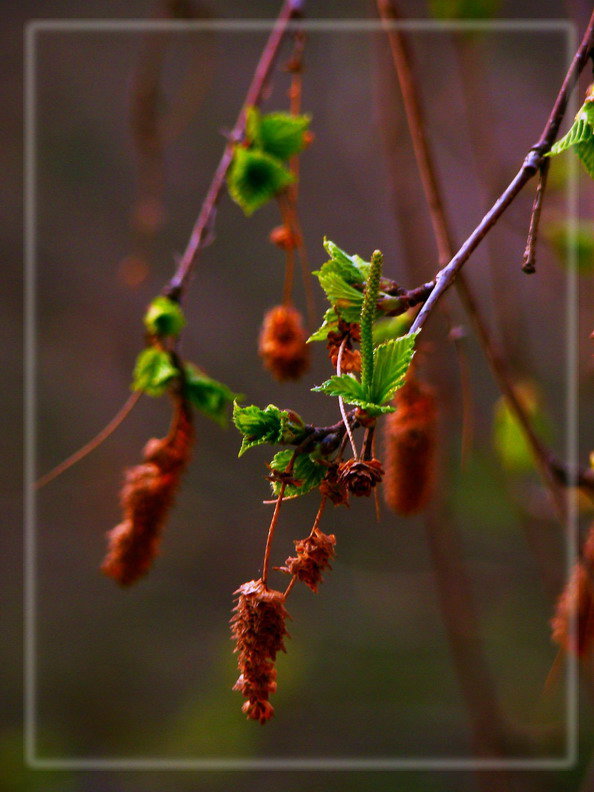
{"x": 577, "y": 602}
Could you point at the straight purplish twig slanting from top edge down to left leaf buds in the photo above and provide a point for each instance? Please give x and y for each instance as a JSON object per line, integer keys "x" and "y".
{"x": 174, "y": 288}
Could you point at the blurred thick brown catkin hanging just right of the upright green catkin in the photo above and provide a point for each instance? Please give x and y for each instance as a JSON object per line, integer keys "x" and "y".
{"x": 410, "y": 441}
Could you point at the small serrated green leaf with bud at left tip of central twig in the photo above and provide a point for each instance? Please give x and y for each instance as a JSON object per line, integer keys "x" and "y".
{"x": 270, "y": 425}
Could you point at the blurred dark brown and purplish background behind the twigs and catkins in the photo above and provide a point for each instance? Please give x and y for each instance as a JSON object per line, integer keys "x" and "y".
{"x": 374, "y": 668}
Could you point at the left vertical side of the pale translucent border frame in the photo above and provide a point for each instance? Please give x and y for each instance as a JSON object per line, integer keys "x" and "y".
{"x": 29, "y": 572}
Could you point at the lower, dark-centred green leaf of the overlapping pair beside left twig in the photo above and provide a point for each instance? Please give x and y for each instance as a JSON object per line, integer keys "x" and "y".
{"x": 255, "y": 177}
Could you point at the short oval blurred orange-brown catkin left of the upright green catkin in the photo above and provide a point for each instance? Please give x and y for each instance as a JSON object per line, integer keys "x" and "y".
{"x": 282, "y": 343}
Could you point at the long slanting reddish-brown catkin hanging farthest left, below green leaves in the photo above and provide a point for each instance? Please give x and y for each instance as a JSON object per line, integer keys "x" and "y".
{"x": 146, "y": 497}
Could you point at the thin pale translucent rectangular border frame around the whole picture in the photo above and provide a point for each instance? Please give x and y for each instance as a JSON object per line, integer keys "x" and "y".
{"x": 35, "y": 762}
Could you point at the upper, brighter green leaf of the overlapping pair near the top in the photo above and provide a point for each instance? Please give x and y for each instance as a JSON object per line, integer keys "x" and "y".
{"x": 279, "y": 134}
